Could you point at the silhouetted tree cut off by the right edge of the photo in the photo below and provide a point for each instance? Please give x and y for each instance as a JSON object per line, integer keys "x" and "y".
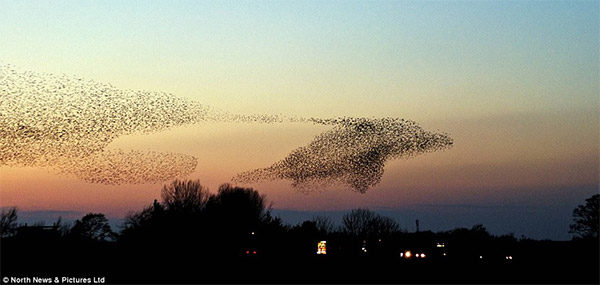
{"x": 585, "y": 218}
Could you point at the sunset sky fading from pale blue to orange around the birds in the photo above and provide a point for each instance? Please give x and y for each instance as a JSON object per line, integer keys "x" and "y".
{"x": 514, "y": 83}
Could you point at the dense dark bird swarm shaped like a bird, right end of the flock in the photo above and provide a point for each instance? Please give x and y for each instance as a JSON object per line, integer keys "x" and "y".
{"x": 353, "y": 153}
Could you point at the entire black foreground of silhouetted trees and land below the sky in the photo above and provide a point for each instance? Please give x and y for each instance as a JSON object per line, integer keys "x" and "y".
{"x": 233, "y": 230}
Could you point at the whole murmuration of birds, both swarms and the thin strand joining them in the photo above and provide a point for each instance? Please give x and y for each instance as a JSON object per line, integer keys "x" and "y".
{"x": 67, "y": 124}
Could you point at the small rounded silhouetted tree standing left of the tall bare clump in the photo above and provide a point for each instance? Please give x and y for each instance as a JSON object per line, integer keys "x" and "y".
{"x": 93, "y": 226}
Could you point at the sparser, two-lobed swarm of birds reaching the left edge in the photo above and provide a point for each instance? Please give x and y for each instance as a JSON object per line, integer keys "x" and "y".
{"x": 67, "y": 123}
